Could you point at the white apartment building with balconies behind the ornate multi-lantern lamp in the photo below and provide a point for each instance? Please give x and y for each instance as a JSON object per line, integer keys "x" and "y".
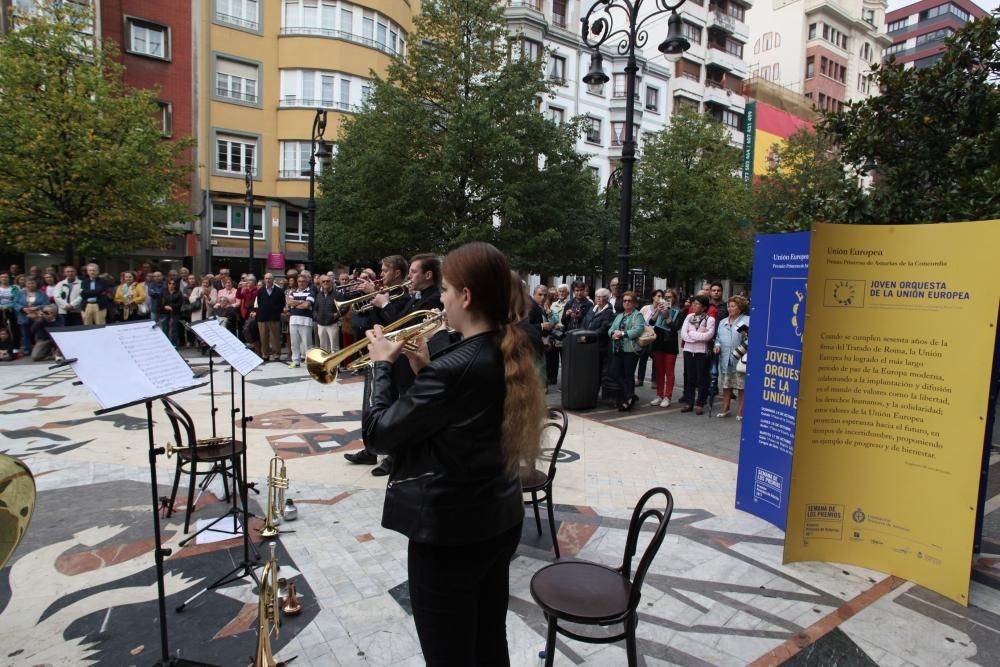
{"x": 713, "y": 73}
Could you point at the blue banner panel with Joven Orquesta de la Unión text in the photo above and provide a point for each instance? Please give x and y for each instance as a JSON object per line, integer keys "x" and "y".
{"x": 777, "y": 319}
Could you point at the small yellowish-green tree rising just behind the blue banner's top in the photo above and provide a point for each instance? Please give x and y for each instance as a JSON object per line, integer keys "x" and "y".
{"x": 806, "y": 183}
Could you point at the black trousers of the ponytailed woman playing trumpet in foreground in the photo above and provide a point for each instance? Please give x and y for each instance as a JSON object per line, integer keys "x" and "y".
{"x": 459, "y": 597}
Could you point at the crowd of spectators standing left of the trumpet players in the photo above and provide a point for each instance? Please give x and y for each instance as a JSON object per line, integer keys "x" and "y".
{"x": 282, "y": 315}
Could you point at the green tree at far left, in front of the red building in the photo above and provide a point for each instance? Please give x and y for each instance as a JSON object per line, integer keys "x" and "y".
{"x": 84, "y": 167}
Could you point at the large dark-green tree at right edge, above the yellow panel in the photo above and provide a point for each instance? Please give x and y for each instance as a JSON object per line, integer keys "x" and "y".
{"x": 932, "y": 134}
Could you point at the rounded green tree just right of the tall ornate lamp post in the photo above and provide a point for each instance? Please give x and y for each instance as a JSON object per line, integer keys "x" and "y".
{"x": 690, "y": 203}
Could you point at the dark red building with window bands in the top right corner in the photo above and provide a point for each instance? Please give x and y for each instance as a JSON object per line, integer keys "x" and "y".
{"x": 918, "y": 30}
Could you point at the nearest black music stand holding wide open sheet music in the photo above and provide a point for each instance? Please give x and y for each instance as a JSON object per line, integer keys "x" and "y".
{"x": 123, "y": 365}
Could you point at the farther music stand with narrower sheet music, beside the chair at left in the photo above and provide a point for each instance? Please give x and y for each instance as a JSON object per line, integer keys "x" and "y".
{"x": 243, "y": 361}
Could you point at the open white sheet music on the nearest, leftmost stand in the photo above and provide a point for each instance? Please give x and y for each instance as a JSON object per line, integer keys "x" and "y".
{"x": 125, "y": 363}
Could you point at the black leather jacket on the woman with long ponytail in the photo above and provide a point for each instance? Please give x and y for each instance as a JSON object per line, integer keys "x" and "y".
{"x": 448, "y": 483}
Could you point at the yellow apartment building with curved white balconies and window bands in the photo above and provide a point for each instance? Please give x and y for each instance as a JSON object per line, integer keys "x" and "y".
{"x": 264, "y": 69}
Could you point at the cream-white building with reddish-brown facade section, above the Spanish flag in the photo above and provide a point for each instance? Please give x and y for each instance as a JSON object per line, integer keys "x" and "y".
{"x": 822, "y": 49}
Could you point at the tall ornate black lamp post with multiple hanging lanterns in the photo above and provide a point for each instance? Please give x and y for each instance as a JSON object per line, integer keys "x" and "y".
{"x": 602, "y": 23}
